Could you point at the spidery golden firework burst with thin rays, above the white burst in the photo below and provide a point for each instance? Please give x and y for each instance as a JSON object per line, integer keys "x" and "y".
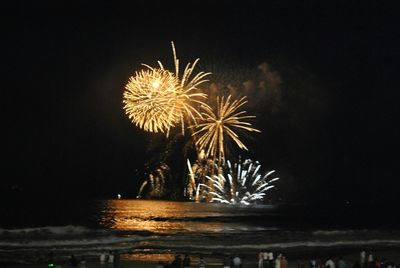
{"x": 222, "y": 124}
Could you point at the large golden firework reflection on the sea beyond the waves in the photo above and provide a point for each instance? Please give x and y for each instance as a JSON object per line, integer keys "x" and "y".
{"x": 171, "y": 217}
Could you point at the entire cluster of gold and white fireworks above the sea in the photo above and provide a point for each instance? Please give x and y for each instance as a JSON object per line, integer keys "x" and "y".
{"x": 156, "y": 100}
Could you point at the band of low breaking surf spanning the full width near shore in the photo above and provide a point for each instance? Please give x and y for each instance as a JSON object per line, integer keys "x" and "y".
{"x": 79, "y": 236}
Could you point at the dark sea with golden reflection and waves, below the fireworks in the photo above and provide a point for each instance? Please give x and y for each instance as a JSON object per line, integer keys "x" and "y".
{"x": 31, "y": 230}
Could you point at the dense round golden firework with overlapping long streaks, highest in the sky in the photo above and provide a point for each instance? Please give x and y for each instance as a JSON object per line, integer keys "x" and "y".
{"x": 157, "y": 99}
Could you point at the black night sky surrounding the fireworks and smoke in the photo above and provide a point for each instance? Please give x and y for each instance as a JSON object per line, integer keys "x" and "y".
{"x": 65, "y": 67}
